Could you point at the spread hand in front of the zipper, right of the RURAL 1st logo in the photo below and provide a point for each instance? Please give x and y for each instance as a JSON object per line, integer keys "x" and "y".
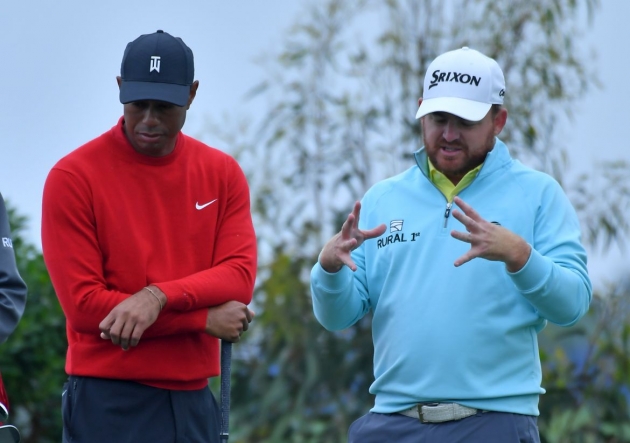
{"x": 489, "y": 241}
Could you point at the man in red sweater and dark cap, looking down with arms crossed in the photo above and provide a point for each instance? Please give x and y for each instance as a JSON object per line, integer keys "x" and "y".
{"x": 148, "y": 237}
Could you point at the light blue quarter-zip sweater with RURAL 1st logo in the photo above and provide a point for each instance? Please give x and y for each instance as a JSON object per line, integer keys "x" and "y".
{"x": 468, "y": 334}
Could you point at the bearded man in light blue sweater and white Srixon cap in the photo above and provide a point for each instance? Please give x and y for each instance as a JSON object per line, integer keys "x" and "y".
{"x": 468, "y": 255}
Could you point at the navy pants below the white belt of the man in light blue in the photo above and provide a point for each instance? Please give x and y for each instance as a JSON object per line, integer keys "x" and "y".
{"x": 488, "y": 427}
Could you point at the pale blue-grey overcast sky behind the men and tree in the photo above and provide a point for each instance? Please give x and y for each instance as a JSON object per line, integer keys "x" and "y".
{"x": 59, "y": 60}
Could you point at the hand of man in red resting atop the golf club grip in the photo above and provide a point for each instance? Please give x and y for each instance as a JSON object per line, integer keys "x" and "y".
{"x": 229, "y": 320}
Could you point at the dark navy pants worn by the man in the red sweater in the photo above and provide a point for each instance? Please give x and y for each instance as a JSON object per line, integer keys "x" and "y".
{"x": 99, "y": 410}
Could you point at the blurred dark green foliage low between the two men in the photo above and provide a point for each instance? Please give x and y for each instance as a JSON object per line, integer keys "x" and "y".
{"x": 292, "y": 393}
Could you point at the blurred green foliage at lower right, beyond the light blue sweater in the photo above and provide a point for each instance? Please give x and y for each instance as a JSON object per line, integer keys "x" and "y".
{"x": 587, "y": 374}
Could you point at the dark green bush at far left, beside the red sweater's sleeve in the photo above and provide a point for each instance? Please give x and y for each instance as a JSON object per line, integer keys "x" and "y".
{"x": 32, "y": 360}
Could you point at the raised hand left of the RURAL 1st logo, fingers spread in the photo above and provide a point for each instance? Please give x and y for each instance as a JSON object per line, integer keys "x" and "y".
{"x": 336, "y": 252}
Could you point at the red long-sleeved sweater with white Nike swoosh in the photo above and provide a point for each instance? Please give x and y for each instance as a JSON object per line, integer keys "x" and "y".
{"x": 114, "y": 221}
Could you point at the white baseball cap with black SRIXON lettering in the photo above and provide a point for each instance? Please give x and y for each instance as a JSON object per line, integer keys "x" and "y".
{"x": 463, "y": 82}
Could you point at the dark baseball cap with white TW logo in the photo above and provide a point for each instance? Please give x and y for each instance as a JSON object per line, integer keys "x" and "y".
{"x": 157, "y": 66}
